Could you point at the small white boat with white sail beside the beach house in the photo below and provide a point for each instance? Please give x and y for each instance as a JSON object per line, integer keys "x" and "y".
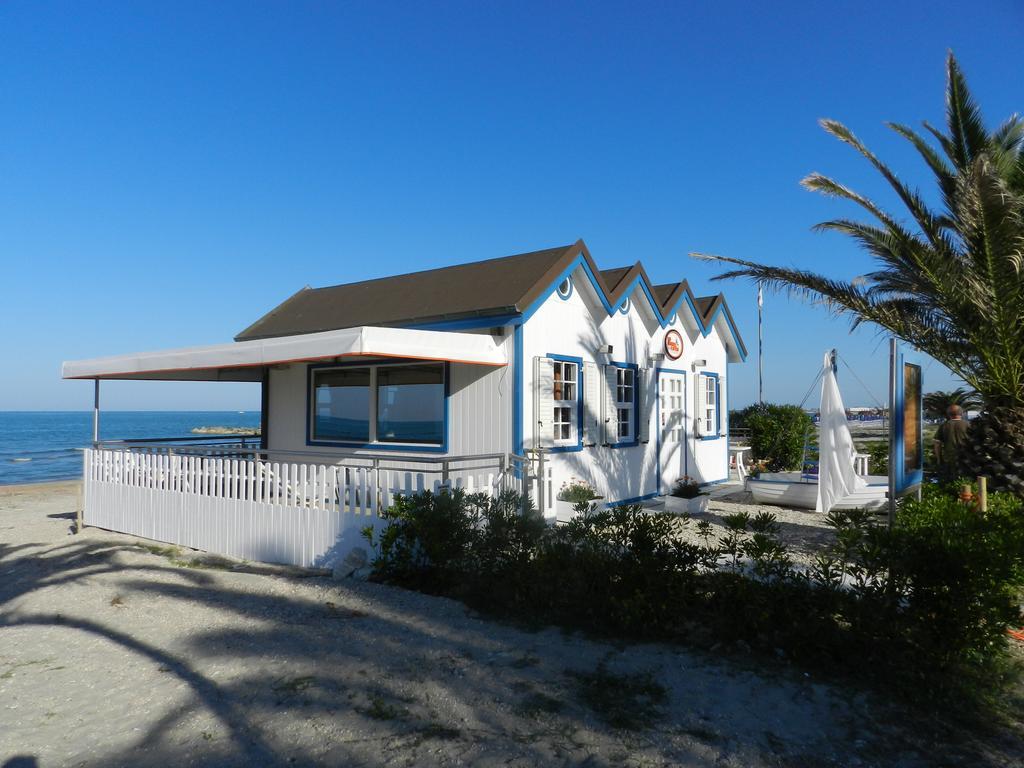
{"x": 837, "y": 485}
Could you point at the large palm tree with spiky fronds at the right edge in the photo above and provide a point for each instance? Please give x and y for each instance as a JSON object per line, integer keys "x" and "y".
{"x": 952, "y": 282}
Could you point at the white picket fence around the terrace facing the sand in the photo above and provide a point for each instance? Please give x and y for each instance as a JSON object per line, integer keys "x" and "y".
{"x": 298, "y": 514}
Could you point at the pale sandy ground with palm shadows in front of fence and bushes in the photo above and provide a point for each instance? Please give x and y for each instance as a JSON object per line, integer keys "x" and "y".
{"x": 113, "y": 655}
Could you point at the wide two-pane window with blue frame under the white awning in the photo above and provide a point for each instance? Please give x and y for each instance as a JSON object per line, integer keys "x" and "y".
{"x": 393, "y": 406}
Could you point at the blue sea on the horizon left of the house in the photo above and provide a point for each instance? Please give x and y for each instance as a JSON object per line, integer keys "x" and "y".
{"x": 45, "y": 446}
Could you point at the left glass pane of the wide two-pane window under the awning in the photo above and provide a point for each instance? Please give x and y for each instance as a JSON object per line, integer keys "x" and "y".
{"x": 343, "y": 410}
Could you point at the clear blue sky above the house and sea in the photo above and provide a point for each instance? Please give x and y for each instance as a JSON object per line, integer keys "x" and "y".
{"x": 170, "y": 172}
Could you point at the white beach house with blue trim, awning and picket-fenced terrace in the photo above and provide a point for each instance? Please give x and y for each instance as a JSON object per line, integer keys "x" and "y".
{"x": 524, "y": 372}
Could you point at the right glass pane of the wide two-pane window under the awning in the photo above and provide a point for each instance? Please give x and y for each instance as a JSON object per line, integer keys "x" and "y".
{"x": 411, "y": 404}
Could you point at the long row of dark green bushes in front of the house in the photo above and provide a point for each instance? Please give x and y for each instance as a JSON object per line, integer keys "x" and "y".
{"x": 924, "y": 607}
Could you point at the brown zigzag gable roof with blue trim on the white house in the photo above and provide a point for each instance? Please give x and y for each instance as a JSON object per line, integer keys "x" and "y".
{"x": 494, "y": 288}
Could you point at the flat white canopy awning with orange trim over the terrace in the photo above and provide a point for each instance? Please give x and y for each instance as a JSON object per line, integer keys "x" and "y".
{"x": 242, "y": 361}
